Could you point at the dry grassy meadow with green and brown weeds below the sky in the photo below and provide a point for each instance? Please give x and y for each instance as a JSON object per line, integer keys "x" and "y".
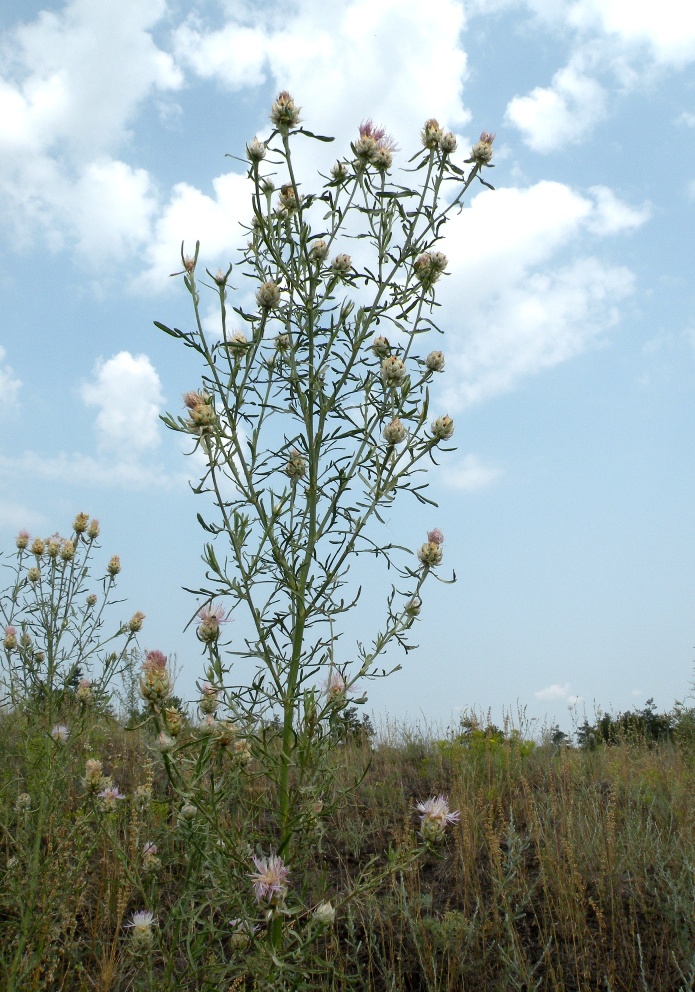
{"x": 571, "y": 868}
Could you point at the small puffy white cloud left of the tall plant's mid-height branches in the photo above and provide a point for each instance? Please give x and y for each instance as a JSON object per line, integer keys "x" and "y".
{"x": 127, "y": 391}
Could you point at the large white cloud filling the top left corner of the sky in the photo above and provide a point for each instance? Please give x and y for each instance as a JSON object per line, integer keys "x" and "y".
{"x": 73, "y": 82}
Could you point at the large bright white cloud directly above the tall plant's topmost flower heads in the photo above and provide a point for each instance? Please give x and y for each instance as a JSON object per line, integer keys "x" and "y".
{"x": 386, "y": 61}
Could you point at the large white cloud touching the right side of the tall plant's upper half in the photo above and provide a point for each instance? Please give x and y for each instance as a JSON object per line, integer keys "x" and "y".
{"x": 521, "y": 310}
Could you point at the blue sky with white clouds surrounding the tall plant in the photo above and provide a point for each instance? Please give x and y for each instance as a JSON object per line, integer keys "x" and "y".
{"x": 569, "y": 313}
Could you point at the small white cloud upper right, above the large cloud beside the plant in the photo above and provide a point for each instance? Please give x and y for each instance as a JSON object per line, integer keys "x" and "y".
{"x": 563, "y": 113}
